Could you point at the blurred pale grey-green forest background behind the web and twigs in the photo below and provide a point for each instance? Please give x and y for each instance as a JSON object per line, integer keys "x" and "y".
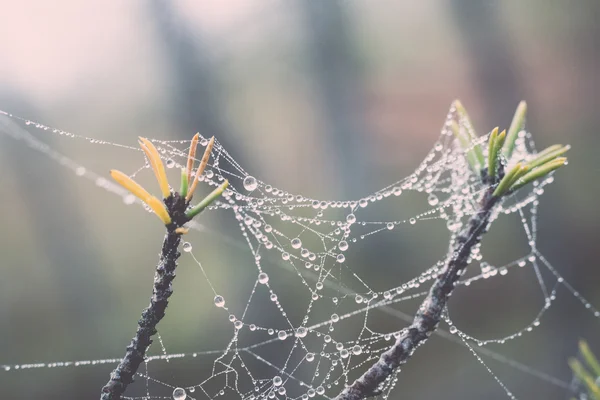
{"x": 332, "y": 99}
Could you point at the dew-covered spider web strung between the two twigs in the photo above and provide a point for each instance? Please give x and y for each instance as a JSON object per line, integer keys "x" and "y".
{"x": 302, "y": 257}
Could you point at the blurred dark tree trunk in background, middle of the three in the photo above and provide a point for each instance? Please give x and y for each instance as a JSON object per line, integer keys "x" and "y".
{"x": 338, "y": 79}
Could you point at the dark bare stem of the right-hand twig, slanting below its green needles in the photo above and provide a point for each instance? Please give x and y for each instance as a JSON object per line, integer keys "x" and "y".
{"x": 430, "y": 312}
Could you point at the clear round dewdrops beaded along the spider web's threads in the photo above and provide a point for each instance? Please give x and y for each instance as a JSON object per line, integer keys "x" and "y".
{"x": 272, "y": 220}
